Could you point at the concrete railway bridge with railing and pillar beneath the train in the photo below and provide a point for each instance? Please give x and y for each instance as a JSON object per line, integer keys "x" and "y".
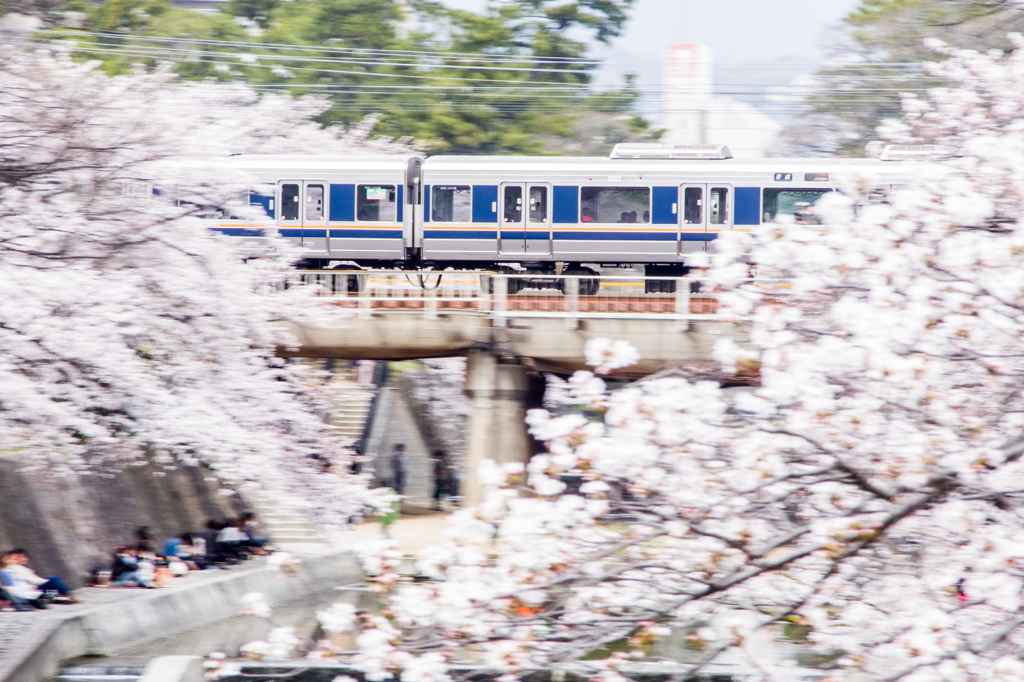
{"x": 510, "y": 327}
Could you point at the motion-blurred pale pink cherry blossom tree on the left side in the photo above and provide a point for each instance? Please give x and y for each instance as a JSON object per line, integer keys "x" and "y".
{"x": 126, "y": 329}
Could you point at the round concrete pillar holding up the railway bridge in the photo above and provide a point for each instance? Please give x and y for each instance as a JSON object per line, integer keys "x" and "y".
{"x": 501, "y": 394}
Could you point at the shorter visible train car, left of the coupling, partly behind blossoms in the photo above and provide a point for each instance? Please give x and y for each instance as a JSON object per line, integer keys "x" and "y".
{"x": 338, "y": 208}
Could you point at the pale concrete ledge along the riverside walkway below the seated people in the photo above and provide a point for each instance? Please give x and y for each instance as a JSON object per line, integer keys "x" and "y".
{"x": 155, "y": 615}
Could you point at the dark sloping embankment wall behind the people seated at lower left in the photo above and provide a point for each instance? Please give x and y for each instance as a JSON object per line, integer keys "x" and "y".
{"x": 72, "y": 524}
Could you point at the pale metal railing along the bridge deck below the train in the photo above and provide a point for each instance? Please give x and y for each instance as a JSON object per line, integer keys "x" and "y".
{"x": 508, "y": 296}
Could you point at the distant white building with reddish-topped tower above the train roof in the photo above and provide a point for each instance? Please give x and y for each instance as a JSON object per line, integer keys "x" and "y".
{"x": 695, "y": 116}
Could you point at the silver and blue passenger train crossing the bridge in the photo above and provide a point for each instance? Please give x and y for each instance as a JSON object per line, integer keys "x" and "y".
{"x": 648, "y": 205}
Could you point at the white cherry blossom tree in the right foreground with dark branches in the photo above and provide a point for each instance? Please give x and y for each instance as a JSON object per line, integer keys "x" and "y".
{"x": 868, "y": 493}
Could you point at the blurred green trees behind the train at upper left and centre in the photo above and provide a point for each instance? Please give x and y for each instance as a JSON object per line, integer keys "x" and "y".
{"x": 508, "y": 80}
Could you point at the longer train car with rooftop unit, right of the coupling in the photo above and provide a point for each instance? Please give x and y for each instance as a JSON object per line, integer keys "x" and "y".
{"x": 646, "y": 204}
